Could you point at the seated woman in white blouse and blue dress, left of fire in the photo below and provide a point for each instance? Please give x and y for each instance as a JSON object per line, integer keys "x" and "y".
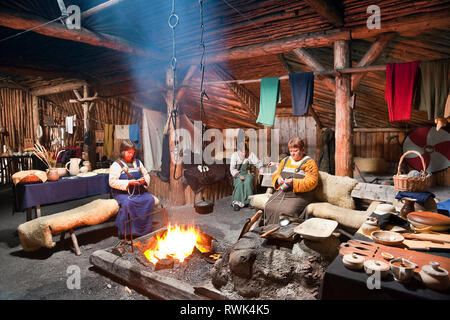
{"x": 128, "y": 180}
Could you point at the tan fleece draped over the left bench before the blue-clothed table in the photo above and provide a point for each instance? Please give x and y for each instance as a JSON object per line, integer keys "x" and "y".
{"x": 38, "y": 233}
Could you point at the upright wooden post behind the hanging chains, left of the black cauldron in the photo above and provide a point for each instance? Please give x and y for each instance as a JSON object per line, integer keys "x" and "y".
{"x": 176, "y": 193}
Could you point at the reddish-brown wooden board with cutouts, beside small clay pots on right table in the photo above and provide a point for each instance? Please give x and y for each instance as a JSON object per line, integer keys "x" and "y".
{"x": 371, "y": 250}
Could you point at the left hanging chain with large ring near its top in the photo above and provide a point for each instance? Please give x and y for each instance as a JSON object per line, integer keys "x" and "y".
{"x": 173, "y": 22}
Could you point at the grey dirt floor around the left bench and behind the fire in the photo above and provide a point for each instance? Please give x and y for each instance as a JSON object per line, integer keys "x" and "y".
{"x": 48, "y": 273}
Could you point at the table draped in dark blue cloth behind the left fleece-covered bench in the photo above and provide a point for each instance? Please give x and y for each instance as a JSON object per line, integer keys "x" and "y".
{"x": 29, "y": 196}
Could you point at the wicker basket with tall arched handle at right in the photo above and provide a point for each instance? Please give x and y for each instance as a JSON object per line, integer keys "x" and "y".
{"x": 408, "y": 184}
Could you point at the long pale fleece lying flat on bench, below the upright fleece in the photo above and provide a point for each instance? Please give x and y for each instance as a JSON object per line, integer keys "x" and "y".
{"x": 347, "y": 217}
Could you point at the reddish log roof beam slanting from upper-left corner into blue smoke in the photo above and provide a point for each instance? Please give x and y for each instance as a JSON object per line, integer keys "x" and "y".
{"x": 25, "y": 21}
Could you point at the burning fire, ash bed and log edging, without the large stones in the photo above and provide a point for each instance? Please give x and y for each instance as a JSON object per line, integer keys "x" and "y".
{"x": 169, "y": 263}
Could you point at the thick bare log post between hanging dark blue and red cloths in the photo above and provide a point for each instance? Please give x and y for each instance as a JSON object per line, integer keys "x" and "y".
{"x": 344, "y": 143}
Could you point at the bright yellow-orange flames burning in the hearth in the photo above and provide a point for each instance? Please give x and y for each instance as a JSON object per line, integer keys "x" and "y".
{"x": 177, "y": 243}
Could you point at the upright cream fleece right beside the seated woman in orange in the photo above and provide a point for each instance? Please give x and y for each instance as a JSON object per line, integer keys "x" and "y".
{"x": 335, "y": 190}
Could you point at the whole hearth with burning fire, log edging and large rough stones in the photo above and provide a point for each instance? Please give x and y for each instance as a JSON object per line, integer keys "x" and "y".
{"x": 213, "y": 261}
